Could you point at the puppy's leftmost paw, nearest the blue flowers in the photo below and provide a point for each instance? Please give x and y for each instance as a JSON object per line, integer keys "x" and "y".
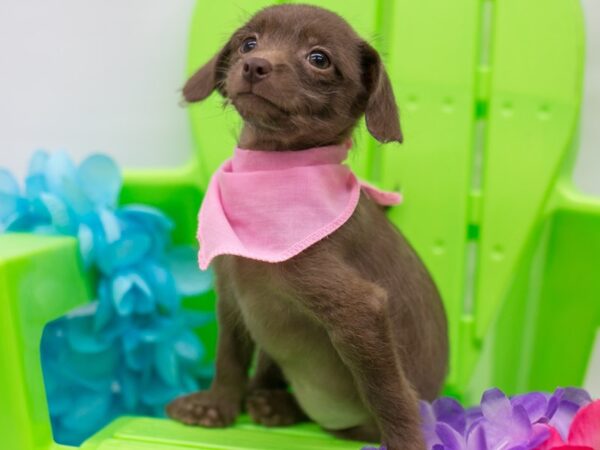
{"x": 206, "y": 408}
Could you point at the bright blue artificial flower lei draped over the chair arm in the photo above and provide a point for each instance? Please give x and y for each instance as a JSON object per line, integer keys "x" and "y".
{"x": 132, "y": 349}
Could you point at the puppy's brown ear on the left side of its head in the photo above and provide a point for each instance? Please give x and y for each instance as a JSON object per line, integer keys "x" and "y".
{"x": 208, "y": 78}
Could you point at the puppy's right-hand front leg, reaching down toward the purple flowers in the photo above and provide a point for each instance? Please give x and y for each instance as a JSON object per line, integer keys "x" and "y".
{"x": 354, "y": 313}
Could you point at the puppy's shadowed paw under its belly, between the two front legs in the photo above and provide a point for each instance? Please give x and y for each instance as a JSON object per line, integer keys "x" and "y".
{"x": 274, "y": 408}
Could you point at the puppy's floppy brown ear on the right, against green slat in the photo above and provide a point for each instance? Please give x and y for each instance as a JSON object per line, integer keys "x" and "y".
{"x": 381, "y": 112}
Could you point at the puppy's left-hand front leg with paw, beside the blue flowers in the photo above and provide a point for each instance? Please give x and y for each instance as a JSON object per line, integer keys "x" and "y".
{"x": 220, "y": 405}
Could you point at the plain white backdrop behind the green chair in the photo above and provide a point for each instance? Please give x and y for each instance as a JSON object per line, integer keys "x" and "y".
{"x": 104, "y": 75}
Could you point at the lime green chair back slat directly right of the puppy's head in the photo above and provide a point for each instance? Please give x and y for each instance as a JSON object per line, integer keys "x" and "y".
{"x": 433, "y": 62}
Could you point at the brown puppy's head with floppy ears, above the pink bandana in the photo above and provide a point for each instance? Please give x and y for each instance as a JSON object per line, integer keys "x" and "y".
{"x": 299, "y": 73}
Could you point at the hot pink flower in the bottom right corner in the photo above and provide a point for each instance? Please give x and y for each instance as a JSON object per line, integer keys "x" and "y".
{"x": 584, "y": 433}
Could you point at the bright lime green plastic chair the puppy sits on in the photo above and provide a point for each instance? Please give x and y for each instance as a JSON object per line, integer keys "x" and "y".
{"x": 490, "y": 93}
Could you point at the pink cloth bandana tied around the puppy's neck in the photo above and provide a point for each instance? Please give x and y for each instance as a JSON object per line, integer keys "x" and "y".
{"x": 270, "y": 206}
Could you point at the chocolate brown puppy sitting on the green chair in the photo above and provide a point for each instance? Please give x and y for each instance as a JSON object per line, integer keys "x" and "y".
{"x": 353, "y": 324}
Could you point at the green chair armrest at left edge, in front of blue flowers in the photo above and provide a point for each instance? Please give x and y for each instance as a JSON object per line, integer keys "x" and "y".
{"x": 40, "y": 280}
